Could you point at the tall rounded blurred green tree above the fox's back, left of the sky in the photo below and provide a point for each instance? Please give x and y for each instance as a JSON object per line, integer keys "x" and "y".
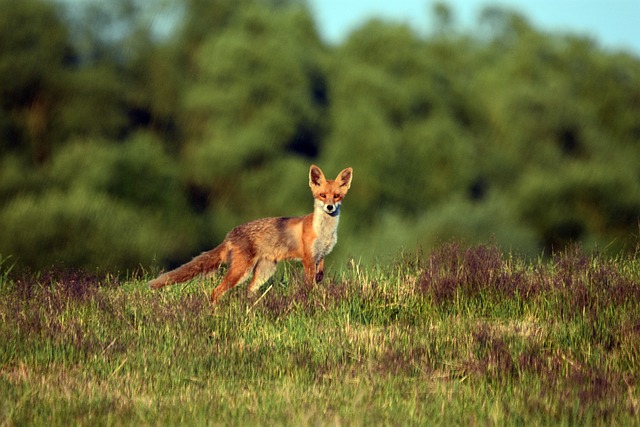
{"x": 255, "y": 98}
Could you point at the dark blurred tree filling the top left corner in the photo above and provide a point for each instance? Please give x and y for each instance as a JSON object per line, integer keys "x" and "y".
{"x": 34, "y": 55}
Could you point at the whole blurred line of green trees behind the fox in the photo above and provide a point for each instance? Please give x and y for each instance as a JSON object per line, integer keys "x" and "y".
{"x": 138, "y": 133}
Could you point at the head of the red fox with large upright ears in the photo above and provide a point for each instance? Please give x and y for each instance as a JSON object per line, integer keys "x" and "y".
{"x": 328, "y": 194}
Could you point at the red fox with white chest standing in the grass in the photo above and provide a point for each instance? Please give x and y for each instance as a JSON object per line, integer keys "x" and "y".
{"x": 256, "y": 247}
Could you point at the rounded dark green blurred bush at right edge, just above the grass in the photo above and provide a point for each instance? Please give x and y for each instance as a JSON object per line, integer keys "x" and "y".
{"x": 592, "y": 203}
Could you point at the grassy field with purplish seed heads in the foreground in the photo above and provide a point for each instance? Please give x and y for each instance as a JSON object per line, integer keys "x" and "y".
{"x": 460, "y": 336}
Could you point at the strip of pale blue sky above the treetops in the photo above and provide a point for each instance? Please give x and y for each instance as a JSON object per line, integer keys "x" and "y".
{"x": 613, "y": 24}
